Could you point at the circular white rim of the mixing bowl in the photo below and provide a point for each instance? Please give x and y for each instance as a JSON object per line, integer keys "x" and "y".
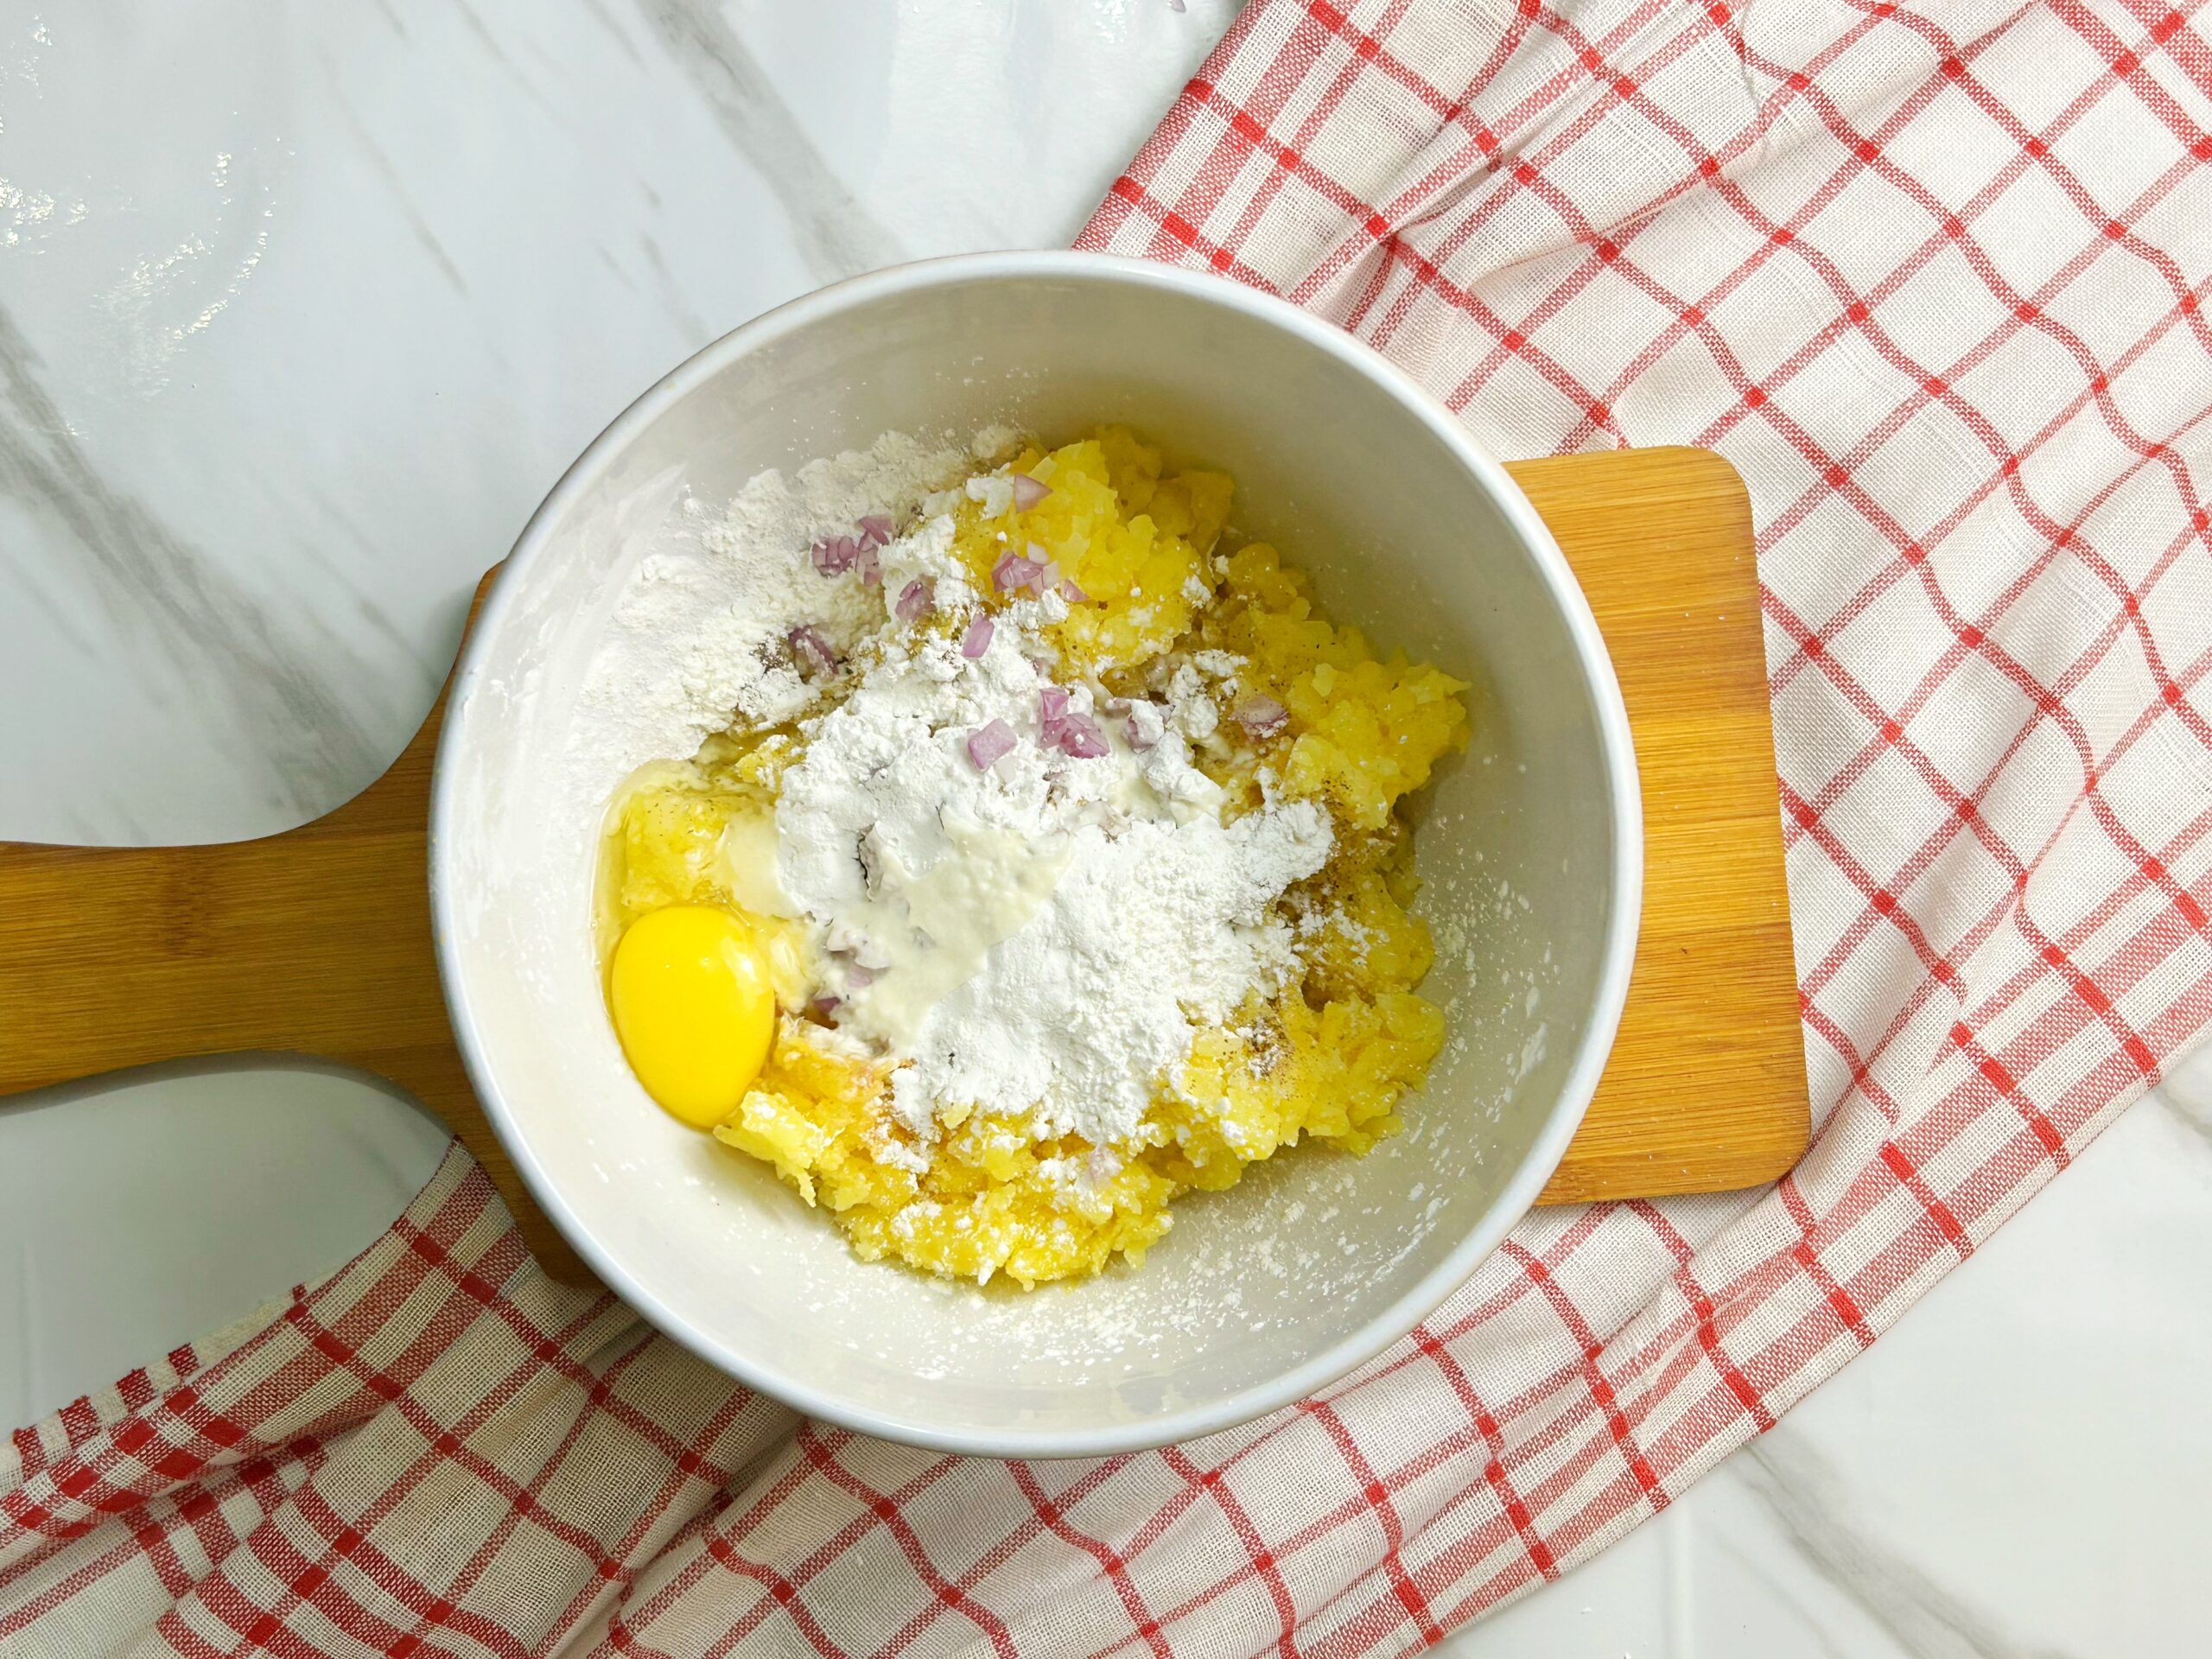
{"x": 1611, "y": 992}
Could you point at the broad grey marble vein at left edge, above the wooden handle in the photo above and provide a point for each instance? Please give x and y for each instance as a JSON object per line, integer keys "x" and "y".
{"x": 174, "y": 592}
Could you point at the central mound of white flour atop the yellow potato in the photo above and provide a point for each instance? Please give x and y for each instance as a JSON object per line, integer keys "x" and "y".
{"x": 1036, "y": 935}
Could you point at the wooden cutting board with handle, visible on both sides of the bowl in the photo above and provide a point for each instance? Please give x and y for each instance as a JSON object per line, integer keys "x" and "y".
{"x": 317, "y": 941}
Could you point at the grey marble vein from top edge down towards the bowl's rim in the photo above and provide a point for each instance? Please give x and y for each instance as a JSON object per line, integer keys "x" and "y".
{"x": 833, "y": 231}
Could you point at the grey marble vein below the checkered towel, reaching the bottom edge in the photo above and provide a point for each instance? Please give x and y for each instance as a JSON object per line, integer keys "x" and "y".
{"x": 1815, "y": 1512}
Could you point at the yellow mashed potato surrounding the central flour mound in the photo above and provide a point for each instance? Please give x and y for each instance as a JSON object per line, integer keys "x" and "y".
{"x": 1324, "y": 1061}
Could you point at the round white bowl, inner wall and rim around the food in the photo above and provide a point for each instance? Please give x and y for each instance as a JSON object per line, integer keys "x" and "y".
{"x": 1532, "y": 848}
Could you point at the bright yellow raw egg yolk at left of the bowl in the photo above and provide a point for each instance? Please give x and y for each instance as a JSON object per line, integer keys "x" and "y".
{"x": 693, "y": 1008}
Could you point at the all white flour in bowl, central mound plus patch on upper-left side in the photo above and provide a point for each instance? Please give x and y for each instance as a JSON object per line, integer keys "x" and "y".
{"x": 1039, "y": 935}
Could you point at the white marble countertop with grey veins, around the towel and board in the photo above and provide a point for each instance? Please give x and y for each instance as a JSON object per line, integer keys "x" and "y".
{"x": 304, "y": 309}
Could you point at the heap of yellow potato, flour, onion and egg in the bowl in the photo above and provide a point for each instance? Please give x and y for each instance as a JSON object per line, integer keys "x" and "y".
{"x": 1067, "y": 873}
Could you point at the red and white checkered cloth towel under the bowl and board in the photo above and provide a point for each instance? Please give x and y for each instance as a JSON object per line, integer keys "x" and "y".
{"x": 1934, "y": 280}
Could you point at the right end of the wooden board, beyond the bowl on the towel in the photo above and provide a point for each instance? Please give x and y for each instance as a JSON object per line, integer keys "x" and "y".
{"x": 1707, "y": 1083}
